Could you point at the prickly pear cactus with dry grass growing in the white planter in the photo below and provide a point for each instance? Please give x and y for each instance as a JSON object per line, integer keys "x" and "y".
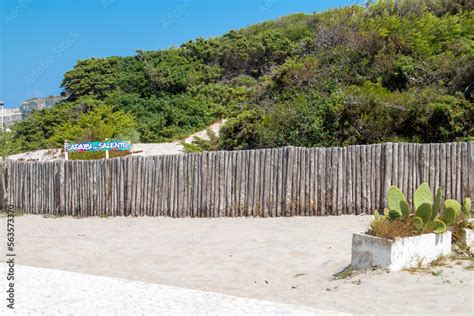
{"x": 399, "y": 220}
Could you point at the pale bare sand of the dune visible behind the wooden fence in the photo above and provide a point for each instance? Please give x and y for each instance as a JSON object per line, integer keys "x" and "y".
{"x": 141, "y": 149}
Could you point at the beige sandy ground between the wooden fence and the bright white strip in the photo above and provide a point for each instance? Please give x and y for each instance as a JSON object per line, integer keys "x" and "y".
{"x": 287, "y": 260}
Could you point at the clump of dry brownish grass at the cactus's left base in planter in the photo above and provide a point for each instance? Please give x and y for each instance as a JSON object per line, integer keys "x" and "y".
{"x": 385, "y": 228}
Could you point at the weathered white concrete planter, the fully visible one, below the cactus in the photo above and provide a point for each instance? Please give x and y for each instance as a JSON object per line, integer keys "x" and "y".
{"x": 400, "y": 253}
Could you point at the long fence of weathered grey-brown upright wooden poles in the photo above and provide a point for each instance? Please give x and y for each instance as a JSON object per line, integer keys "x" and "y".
{"x": 272, "y": 182}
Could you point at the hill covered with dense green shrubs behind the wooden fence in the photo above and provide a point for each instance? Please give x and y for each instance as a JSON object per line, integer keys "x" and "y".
{"x": 387, "y": 71}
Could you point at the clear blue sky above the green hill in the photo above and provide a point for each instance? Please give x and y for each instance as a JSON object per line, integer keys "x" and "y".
{"x": 42, "y": 39}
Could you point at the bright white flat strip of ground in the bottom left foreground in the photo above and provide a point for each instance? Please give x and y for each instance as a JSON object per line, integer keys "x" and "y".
{"x": 54, "y": 292}
